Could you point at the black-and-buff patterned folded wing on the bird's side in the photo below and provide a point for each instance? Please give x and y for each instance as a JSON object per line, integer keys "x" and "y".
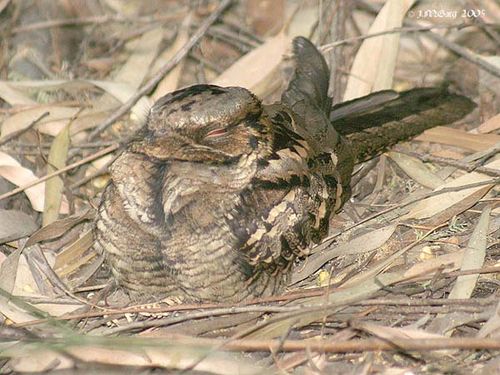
{"x": 288, "y": 203}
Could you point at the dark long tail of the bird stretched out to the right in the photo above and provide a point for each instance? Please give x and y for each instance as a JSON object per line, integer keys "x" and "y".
{"x": 378, "y": 121}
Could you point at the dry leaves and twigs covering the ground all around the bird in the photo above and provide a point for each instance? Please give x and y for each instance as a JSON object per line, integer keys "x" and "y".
{"x": 395, "y": 276}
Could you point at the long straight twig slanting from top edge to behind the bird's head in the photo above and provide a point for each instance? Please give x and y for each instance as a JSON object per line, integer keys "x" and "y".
{"x": 151, "y": 84}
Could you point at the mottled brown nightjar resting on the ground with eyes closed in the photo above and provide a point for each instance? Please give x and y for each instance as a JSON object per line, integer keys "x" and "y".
{"x": 214, "y": 198}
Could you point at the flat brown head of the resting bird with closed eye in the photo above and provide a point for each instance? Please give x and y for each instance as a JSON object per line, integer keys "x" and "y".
{"x": 205, "y": 123}
